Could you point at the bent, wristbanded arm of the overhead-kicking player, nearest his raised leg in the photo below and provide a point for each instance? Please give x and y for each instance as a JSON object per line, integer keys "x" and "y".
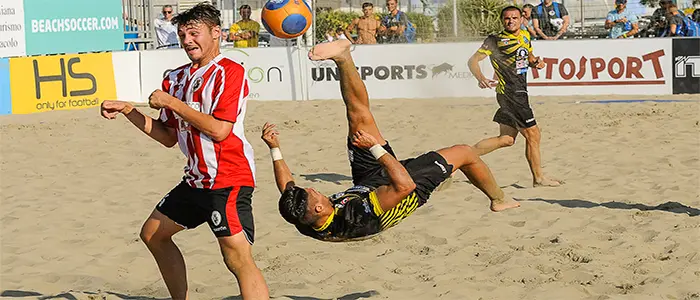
{"x": 400, "y": 182}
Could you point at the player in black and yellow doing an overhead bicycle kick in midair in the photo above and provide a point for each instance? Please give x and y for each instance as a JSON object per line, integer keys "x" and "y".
{"x": 385, "y": 190}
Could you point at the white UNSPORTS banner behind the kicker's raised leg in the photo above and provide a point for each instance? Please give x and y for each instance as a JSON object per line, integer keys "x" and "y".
{"x": 405, "y": 71}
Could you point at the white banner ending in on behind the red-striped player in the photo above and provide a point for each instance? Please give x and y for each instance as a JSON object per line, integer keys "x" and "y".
{"x": 272, "y": 73}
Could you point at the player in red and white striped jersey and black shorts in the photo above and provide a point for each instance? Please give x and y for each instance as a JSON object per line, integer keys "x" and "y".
{"x": 202, "y": 107}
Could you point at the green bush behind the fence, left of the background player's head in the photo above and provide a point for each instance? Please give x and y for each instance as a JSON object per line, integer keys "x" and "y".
{"x": 475, "y": 18}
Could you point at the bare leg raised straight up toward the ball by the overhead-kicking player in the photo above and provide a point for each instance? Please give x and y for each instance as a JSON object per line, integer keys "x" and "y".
{"x": 352, "y": 88}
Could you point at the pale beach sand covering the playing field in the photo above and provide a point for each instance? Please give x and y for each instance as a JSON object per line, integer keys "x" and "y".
{"x": 76, "y": 189}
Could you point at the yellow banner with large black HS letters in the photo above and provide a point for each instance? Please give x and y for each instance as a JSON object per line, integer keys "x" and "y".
{"x": 61, "y": 82}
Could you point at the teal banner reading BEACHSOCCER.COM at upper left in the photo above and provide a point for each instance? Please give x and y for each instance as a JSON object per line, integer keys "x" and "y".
{"x": 75, "y": 26}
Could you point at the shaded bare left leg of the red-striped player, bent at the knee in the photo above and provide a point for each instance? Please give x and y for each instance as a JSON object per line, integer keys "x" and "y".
{"x": 157, "y": 234}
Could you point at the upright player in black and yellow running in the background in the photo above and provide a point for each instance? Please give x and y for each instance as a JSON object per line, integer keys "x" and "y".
{"x": 511, "y": 55}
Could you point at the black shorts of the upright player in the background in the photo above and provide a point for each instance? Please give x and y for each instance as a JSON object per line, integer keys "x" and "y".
{"x": 515, "y": 110}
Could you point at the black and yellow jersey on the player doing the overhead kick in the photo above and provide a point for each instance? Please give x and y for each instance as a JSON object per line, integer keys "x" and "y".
{"x": 357, "y": 215}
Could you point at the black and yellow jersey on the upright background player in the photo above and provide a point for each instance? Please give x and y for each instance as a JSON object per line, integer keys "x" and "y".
{"x": 509, "y": 57}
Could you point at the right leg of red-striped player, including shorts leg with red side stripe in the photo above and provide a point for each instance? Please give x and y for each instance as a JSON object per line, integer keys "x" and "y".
{"x": 232, "y": 223}
